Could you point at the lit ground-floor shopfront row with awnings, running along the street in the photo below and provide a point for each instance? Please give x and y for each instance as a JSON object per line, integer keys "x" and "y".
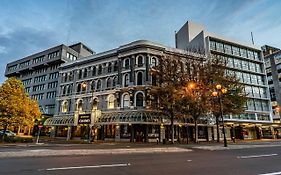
{"x": 149, "y": 126}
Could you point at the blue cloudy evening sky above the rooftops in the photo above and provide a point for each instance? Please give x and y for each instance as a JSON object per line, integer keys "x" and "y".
{"x": 31, "y": 26}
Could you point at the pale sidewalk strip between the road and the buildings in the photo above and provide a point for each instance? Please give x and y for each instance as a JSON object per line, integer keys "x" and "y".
{"x": 107, "y": 148}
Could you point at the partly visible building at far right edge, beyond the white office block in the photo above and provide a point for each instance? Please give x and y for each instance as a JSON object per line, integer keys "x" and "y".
{"x": 272, "y": 59}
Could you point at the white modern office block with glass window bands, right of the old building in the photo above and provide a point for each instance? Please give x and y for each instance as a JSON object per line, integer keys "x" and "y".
{"x": 246, "y": 62}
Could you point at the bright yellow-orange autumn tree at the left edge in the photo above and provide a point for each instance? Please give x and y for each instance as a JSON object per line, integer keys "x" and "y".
{"x": 16, "y": 108}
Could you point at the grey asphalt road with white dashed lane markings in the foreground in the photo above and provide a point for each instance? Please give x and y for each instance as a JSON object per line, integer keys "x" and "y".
{"x": 253, "y": 161}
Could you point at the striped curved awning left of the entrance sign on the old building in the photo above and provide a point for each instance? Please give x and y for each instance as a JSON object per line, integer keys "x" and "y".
{"x": 60, "y": 121}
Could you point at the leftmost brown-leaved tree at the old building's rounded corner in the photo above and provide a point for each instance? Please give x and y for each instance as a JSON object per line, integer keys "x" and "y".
{"x": 169, "y": 74}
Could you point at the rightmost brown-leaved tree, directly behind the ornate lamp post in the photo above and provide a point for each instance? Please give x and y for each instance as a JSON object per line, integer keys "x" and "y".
{"x": 235, "y": 99}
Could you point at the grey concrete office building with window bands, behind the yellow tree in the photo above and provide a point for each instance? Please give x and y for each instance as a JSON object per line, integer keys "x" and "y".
{"x": 39, "y": 72}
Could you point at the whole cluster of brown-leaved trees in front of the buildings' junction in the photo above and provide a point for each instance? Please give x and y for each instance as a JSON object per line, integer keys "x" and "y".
{"x": 185, "y": 84}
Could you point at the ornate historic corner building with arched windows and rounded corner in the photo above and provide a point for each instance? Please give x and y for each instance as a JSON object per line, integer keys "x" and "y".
{"x": 110, "y": 92}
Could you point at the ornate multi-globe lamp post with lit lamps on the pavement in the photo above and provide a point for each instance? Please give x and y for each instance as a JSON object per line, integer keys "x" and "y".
{"x": 218, "y": 93}
